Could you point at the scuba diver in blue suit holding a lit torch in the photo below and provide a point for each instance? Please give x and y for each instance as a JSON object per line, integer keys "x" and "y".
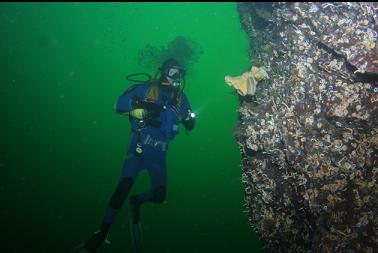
{"x": 155, "y": 109}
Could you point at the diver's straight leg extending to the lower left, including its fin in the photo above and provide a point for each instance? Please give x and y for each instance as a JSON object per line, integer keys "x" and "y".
{"x": 131, "y": 168}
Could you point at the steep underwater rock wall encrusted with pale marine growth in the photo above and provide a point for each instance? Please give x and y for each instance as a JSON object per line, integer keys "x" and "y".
{"x": 309, "y": 135}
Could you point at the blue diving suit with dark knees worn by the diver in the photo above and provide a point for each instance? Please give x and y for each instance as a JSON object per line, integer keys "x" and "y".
{"x": 153, "y": 140}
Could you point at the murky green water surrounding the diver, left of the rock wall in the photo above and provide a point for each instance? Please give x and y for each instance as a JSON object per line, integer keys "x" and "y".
{"x": 62, "y": 67}
